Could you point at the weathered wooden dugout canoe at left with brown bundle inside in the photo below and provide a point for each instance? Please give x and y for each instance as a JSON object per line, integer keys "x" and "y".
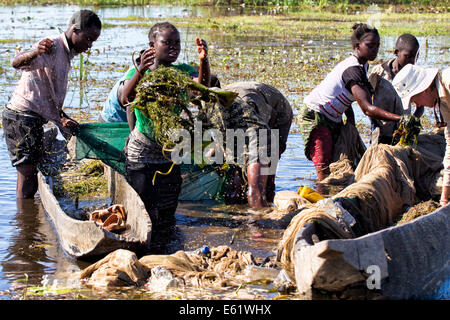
{"x": 84, "y": 239}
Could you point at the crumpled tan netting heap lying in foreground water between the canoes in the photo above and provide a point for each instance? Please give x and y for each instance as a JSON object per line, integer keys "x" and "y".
{"x": 218, "y": 268}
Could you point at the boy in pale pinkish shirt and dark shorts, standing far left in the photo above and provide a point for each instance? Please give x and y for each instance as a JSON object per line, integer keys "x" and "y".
{"x": 40, "y": 93}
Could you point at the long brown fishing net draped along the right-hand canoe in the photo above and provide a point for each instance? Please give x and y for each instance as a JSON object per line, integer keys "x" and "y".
{"x": 388, "y": 180}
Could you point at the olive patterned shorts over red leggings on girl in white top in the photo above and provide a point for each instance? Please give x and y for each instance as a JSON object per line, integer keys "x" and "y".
{"x": 308, "y": 120}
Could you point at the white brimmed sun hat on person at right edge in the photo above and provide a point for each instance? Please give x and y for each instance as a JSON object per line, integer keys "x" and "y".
{"x": 412, "y": 80}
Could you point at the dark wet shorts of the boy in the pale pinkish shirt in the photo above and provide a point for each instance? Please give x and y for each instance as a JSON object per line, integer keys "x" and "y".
{"x": 24, "y": 136}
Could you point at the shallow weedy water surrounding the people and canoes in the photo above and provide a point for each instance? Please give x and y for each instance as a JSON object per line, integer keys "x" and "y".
{"x": 28, "y": 244}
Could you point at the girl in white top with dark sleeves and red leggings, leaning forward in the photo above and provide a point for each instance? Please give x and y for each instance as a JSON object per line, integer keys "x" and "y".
{"x": 320, "y": 118}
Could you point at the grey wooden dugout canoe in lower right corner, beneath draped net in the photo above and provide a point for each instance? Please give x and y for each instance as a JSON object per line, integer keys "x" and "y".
{"x": 411, "y": 260}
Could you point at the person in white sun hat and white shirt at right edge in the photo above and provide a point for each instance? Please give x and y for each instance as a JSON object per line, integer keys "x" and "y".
{"x": 429, "y": 87}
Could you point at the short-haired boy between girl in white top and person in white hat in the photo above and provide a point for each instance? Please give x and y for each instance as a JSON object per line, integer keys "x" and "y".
{"x": 406, "y": 51}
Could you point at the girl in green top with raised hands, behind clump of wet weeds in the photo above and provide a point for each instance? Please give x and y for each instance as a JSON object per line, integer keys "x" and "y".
{"x": 145, "y": 156}
